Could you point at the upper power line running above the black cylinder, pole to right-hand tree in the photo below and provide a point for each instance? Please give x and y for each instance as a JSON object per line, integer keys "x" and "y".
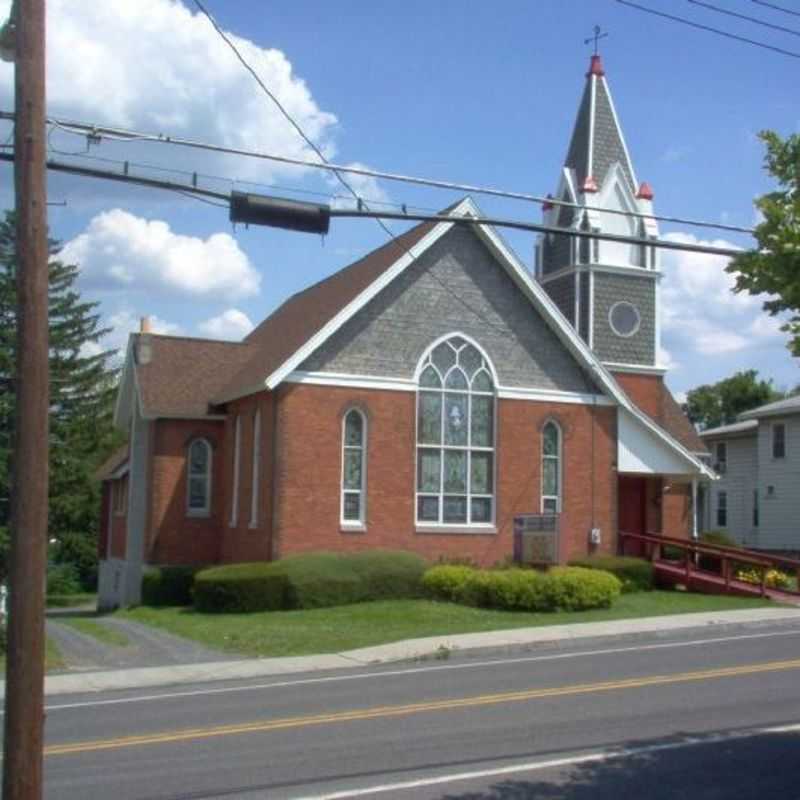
{"x": 121, "y": 134}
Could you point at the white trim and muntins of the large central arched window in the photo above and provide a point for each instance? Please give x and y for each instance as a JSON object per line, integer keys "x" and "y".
{"x": 429, "y": 526}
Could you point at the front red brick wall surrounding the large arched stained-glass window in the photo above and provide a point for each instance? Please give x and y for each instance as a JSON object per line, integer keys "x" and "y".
{"x": 308, "y": 469}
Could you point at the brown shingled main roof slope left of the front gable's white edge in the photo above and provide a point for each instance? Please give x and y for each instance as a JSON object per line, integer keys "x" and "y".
{"x": 290, "y": 326}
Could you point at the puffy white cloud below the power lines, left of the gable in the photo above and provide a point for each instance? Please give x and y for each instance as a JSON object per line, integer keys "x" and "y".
{"x": 121, "y": 251}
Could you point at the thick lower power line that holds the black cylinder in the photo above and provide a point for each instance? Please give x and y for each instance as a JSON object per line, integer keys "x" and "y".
{"x": 497, "y": 222}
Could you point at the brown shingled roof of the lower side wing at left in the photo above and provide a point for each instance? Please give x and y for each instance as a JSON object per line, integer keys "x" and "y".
{"x": 180, "y": 375}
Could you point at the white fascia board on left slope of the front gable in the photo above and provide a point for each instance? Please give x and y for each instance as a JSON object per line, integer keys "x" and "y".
{"x": 463, "y": 209}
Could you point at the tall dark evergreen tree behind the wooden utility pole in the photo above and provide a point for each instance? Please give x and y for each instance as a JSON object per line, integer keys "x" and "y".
{"x": 82, "y": 385}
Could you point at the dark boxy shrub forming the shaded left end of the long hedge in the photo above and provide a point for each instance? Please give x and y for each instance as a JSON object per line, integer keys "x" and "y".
{"x": 241, "y": 587}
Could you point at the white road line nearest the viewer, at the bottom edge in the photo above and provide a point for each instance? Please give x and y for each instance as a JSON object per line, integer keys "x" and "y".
{"x": 535, "y": 766}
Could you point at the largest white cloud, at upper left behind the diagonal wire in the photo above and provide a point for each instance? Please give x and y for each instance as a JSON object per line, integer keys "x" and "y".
{"x": 156, "y": 65}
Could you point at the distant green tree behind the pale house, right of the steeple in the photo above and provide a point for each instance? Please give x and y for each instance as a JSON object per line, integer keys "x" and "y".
{"x": 715, "y": 404}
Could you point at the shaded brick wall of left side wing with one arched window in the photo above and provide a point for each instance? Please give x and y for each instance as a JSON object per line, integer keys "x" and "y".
{"x": 172, "y": 536}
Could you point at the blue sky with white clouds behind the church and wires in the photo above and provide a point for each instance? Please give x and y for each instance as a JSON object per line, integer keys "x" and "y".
{"x": 478, "y": 93}
